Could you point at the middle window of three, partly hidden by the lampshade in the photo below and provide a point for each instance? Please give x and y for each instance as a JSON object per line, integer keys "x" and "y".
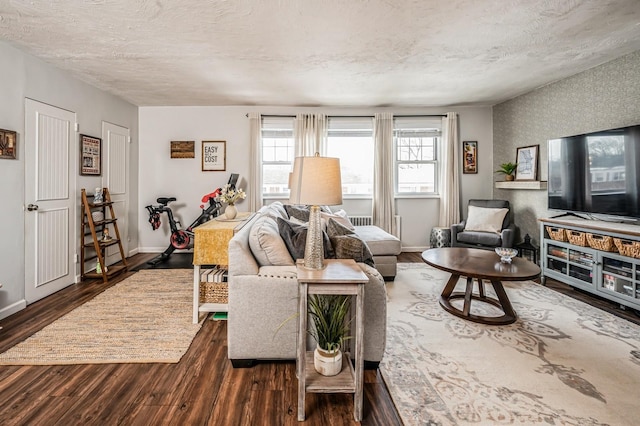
{"x": 351, "y": 140}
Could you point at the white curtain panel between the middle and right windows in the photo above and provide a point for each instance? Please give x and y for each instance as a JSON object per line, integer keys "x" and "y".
{"x": 383, "y": 192}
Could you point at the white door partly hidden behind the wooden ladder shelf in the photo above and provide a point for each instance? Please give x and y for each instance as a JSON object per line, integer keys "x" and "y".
{"x": 115, "y": 163}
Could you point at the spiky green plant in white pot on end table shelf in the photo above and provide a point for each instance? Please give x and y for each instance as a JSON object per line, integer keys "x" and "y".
{"x": 331, "y": 323}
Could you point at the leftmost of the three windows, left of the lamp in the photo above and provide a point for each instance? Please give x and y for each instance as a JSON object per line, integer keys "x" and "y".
{"x": 277, "y": 155}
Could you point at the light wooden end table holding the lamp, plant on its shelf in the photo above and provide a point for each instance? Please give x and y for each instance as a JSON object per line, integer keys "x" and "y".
{"x": 340, "y": 276}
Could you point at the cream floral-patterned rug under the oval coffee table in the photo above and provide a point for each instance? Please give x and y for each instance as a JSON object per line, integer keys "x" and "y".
{"x": 561, "y": 363}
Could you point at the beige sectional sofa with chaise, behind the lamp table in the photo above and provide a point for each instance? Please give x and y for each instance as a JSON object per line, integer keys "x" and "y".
{"x": 263, "y": 292}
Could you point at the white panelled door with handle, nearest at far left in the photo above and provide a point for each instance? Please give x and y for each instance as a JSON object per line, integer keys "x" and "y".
{"x": 50, "y": 218}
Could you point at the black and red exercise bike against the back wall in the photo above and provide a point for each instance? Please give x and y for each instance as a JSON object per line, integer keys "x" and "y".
{"x": 181, "y": 238}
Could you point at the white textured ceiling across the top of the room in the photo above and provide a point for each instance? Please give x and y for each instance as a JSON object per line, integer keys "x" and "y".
{"x": 322, "y": 53}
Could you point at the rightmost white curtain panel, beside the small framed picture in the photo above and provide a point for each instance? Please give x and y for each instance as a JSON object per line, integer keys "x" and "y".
{"x": 450, "y": 172}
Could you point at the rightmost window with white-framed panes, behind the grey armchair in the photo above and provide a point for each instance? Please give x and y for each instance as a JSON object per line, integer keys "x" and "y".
{"x": 416, "y": 141}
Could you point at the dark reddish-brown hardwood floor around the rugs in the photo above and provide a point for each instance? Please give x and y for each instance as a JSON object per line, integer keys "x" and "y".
{"x": 202, "y": 389}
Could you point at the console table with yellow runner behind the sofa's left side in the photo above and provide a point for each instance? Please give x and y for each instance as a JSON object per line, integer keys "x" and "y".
{"x": 211, "y": 247}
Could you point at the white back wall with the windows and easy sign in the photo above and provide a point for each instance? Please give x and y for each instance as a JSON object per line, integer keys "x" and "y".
{"x": 182, "y": 178}
